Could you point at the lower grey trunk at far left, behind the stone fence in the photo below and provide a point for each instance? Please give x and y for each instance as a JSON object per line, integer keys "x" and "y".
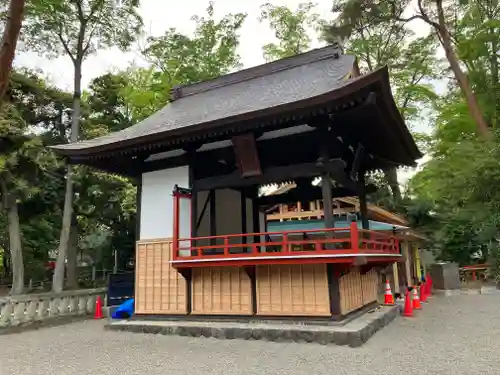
{"x": 15, "y": 246}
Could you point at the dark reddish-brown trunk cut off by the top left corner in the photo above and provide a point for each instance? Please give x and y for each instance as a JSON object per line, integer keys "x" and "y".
{"x": 9, "y": 42}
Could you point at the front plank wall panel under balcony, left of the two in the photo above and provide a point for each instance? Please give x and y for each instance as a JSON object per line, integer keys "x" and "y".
{"x": 221, "y": 291}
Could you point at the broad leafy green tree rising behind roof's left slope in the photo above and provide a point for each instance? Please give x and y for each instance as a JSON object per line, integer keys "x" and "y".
{"x": 178, "y": 59}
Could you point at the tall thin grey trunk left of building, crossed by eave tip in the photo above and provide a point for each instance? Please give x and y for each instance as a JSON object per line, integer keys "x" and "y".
{"x": 58, "y": 279}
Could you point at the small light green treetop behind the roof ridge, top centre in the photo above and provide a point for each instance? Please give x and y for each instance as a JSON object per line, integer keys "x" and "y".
{"x": 290, "y": 28}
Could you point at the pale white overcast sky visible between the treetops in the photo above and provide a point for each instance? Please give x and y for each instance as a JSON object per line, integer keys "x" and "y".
{"x": 159, "y": 16}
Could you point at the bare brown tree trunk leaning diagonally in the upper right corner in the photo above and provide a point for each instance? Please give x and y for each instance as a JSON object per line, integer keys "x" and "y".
{"x": 475, "y": 111}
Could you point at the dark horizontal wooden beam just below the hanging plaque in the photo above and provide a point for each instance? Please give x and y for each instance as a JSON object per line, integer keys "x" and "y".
{"x": 275, "y": 174}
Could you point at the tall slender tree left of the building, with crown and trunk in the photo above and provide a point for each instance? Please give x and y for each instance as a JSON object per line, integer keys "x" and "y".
{"x": 78, "y": 28}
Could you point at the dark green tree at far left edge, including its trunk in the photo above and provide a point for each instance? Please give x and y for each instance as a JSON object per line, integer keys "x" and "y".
{"x": 24, "y": 162}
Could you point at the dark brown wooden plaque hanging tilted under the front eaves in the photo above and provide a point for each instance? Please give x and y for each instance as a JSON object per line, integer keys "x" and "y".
{"x": 247, "y": 156}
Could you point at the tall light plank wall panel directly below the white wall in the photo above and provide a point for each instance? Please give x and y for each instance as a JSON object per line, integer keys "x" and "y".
{"x": 159, "y": 288}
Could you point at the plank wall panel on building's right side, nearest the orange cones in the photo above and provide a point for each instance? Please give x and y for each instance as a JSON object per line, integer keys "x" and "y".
{"x": 357, "y": 290}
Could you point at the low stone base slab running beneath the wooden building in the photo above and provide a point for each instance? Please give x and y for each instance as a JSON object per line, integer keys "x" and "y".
{"x": 354, "y": 333}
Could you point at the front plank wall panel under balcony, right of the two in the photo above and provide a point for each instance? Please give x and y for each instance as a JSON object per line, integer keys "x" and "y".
{"x": 292, "y": 290}
